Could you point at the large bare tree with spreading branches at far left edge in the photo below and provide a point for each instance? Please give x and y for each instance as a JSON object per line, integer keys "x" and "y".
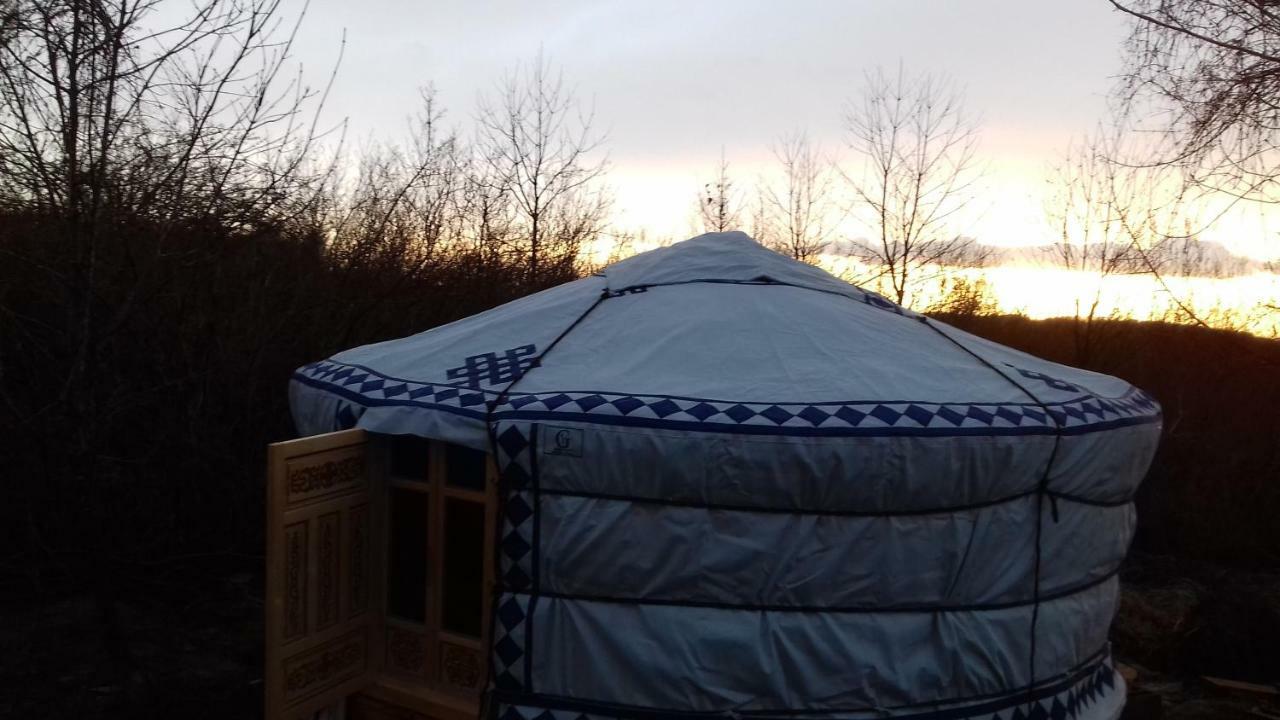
{"x": 131, "y": 144}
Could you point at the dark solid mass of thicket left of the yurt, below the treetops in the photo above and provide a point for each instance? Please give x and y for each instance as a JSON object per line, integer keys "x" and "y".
{"x": 188, "y": 390}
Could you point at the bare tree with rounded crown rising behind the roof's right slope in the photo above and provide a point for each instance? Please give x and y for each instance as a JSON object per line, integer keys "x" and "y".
{"x": 916, "y": 145}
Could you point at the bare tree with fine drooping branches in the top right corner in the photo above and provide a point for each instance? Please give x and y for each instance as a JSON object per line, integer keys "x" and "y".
{"x": 1200, "y": 90}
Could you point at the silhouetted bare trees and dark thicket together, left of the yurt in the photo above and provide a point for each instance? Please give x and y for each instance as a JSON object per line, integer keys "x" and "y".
{"x": 179, "y": 234}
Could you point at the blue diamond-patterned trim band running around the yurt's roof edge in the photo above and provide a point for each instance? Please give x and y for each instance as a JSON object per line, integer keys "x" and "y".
{"x": 871, "y": 418}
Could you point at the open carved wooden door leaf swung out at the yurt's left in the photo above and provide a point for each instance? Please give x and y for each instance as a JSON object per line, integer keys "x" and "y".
{"x": 323, "y": 573}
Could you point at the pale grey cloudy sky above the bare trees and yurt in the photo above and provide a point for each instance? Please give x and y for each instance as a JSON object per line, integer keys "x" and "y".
{"x": 674, "y": 84}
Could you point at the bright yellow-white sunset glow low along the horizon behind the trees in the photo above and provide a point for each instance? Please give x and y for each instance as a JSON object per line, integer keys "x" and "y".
{"x": 1009, "y": 211}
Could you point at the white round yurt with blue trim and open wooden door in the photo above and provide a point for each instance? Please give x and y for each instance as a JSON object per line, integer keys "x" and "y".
{"x": 706, "y": 482}
